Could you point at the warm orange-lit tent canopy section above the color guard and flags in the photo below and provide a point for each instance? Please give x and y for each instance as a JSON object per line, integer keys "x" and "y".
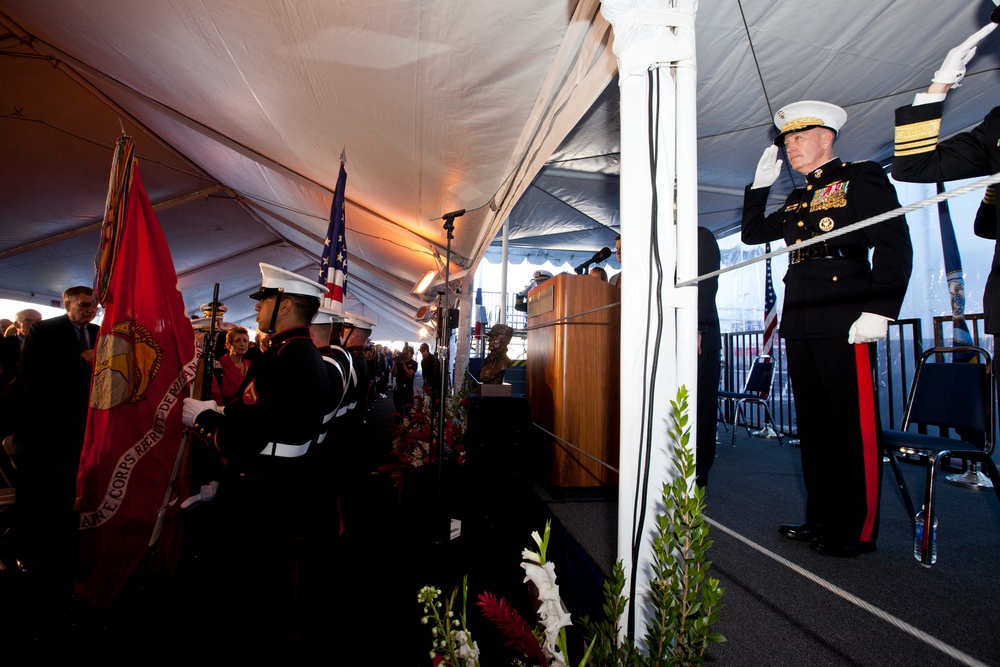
{"x": 240, "y": 113}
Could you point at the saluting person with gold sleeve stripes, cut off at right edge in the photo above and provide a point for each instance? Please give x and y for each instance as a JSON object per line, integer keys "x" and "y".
{"x": 921, "y": 158}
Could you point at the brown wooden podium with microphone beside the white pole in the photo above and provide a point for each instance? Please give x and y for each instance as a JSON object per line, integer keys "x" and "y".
{"x": 573, "y": 375}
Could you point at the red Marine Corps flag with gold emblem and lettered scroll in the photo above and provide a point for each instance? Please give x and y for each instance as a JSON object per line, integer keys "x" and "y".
{"x": 144, "y": 359}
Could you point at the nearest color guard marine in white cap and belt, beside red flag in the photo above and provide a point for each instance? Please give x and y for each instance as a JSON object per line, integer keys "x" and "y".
{"x": 269, "y": 435}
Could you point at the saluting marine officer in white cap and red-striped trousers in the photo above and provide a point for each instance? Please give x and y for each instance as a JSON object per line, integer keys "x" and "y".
{"x": 836, "y": 305}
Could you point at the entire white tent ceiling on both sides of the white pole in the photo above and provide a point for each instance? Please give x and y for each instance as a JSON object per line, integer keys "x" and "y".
{"x": 241, "y": 110}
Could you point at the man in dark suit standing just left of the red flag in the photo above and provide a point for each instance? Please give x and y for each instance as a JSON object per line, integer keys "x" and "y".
{"x": 56, "y": 369}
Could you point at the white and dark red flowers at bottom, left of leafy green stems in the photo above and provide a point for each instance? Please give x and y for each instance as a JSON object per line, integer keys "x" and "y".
{"x": 452, "y": 644}
